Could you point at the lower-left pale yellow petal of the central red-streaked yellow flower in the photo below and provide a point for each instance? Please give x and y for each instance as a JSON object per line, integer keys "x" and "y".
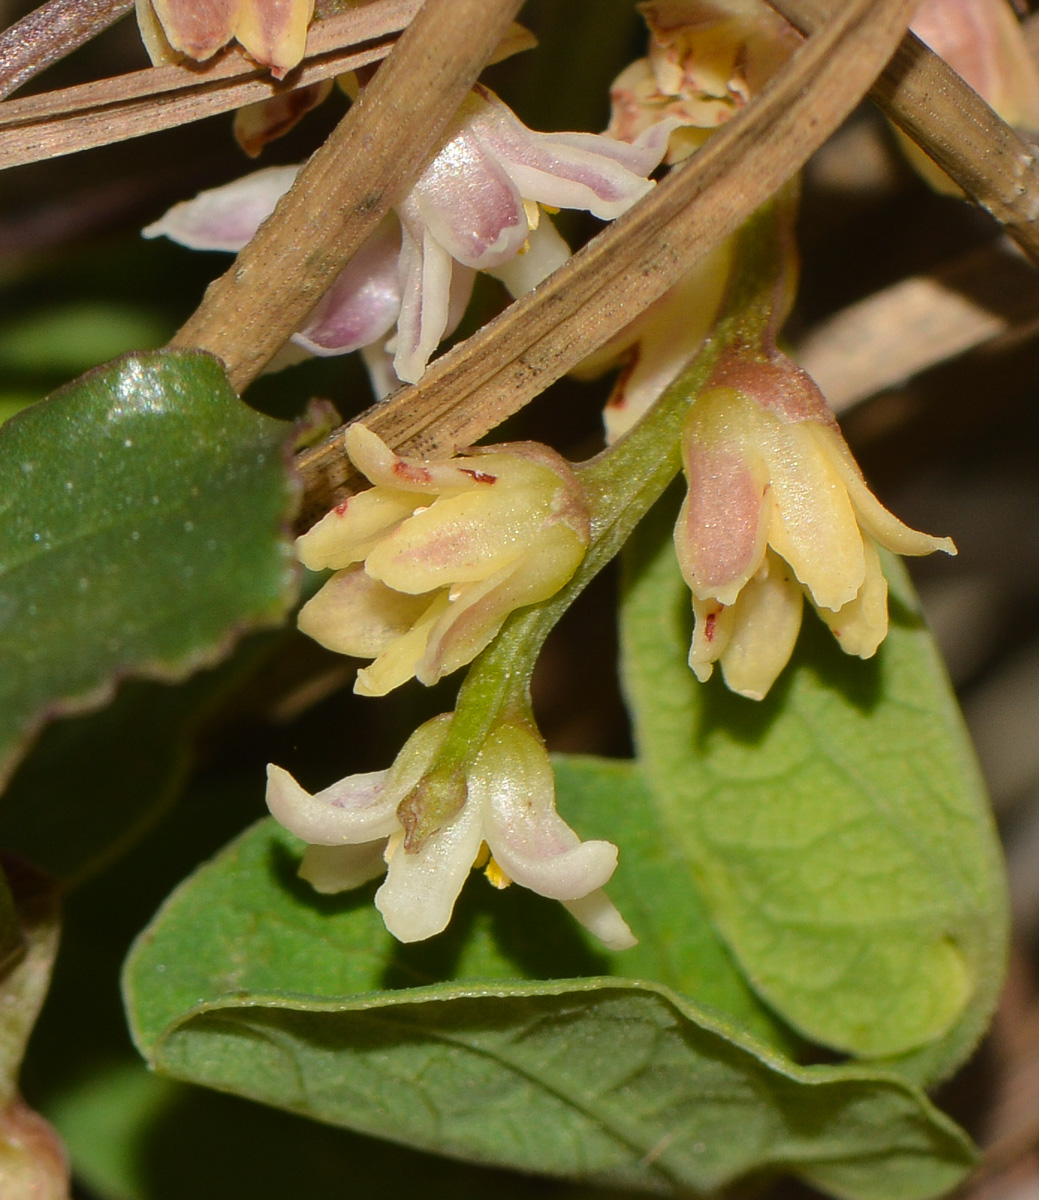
{"x": 356, "y": 615}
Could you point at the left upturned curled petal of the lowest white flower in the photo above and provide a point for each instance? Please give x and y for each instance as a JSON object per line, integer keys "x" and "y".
{"x": 357, "y": 809}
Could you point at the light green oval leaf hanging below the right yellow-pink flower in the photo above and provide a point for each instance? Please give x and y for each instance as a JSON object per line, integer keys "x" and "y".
{"x": 839, "y": 830}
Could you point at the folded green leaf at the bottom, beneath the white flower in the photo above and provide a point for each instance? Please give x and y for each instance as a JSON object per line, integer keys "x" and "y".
{"x": 249, "y": 982}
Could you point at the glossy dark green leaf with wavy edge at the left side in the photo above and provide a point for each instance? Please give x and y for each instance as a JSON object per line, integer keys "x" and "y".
{"x": 145, "y": 530}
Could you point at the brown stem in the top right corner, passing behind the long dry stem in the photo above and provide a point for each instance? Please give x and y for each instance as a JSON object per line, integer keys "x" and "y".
{"x": 926, "y": 98}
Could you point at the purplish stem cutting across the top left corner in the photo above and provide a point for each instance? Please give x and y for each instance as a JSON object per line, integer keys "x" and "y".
{"x": 47, "y": 34}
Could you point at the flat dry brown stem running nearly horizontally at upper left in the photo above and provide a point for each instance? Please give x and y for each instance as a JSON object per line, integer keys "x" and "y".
{"x": 146, "y": 101}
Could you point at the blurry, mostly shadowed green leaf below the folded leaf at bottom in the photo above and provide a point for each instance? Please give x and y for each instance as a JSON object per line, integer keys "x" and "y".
{"x": 127, "y": 1131}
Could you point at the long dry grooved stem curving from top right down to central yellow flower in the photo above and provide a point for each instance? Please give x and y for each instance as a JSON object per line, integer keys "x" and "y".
{"x": 626, "y": 268}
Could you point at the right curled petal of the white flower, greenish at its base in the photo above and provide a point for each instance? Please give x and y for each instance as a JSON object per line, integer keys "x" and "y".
{"x": 513, "y": 783}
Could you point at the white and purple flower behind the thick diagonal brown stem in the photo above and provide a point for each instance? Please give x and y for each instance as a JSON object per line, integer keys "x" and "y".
{"x": 476, "y": 207}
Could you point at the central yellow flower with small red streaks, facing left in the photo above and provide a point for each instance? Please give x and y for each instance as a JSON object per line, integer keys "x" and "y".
{"x": 433, "y": 560}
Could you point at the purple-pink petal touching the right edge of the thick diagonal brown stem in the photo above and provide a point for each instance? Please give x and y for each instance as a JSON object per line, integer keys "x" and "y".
{"x": 364, "y": 303}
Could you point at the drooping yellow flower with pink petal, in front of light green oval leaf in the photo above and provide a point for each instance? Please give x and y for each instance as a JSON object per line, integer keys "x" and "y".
{"x": 778, "y": 509}
